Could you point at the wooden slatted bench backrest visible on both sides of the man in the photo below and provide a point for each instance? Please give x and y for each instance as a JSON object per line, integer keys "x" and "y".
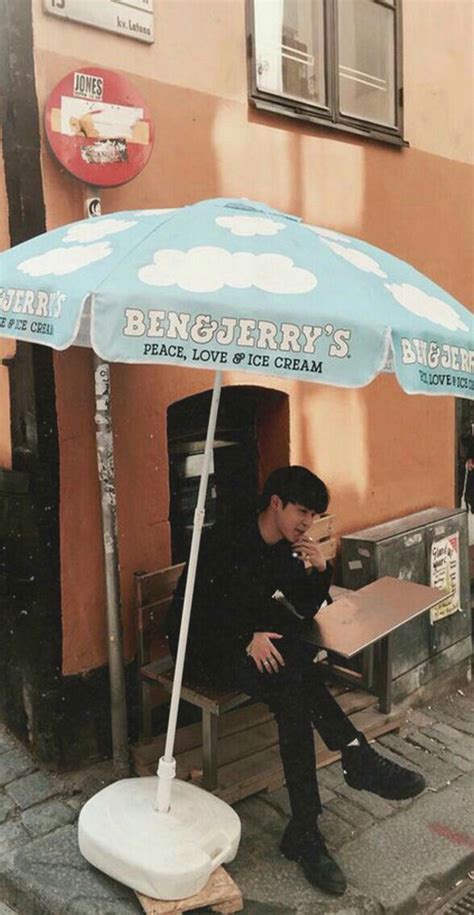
{"x": 154, "y": 591}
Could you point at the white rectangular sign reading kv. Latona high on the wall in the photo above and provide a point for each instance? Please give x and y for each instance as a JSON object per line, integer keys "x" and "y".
{"x": 130, "y": 18}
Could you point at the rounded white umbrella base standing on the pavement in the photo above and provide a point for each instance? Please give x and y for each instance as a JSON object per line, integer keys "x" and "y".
{"x": 163, "y": 855}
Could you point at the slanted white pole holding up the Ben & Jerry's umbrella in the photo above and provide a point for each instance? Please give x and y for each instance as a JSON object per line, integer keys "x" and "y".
{"x": 167, "y": 764}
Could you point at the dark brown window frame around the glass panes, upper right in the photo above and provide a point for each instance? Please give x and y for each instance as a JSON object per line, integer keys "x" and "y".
{"x": 329, "y": 116}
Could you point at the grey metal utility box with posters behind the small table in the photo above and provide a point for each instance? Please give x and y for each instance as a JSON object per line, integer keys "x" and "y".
{"x": 429, "y": 547}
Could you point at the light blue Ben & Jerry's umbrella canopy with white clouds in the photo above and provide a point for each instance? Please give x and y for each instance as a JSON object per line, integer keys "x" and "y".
{"x": 235, "y": 283}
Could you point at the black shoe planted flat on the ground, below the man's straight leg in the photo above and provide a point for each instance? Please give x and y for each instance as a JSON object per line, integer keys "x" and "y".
{"x": 311, "y": 853}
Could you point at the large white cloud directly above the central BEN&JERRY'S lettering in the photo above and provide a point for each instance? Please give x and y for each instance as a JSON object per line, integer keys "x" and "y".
{"x": 207, "y": 269}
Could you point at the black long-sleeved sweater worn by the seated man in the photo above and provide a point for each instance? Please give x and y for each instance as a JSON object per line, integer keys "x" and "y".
{"x": 236, "y": 580}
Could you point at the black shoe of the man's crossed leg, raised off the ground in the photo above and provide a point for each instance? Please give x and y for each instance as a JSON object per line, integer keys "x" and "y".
{"x": 366, "y": 769}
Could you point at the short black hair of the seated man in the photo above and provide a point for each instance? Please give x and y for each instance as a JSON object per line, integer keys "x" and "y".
{"x": 297, "y": 485}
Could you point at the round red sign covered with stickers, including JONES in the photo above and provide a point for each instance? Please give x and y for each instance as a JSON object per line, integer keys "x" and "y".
{"x": 99, "y": 127}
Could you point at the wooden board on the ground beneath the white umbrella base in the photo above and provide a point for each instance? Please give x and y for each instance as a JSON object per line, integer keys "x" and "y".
{"x": 220, "y": 894}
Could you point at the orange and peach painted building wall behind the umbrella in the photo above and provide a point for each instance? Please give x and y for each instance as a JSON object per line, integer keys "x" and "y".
{"x": 382, "y": 453}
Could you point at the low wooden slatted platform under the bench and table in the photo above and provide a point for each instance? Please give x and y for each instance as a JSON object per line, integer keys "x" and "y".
{"x": 249, "y": 760}
